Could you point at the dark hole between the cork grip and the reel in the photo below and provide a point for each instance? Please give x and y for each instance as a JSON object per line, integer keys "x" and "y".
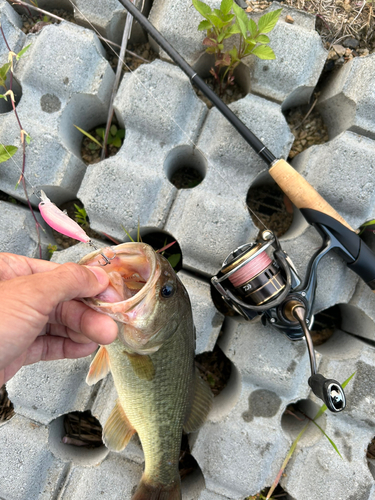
{"x": 270, "y": 206}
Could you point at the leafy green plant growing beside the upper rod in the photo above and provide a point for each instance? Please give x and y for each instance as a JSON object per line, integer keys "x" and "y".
{"x": 222, "y": 24}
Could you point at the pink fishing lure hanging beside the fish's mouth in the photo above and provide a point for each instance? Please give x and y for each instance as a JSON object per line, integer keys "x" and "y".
{"x": 59, "y": 221}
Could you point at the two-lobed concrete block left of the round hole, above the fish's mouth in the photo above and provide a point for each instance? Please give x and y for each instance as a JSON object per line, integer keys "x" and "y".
{"x": 132, "y": 187}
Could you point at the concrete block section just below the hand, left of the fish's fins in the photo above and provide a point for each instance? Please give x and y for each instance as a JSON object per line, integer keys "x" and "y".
{"x": 46, "y": 390}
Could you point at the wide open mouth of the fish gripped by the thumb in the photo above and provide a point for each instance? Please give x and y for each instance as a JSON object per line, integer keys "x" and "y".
{"x": 133, "y": 272}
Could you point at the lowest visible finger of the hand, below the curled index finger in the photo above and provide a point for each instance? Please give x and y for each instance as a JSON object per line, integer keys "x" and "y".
{"x": 48, "y": 348}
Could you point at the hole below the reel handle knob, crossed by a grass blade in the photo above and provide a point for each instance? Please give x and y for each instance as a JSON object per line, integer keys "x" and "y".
{"x": 294, "y": 419}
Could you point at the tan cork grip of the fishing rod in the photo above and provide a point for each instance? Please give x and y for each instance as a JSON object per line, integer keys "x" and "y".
{"x": 300, "y": 192}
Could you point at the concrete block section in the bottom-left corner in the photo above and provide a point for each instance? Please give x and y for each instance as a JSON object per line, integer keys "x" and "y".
{"x": 28, "y": 468}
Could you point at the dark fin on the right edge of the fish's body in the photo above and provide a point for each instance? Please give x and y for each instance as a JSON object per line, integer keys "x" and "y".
{"x": 200, "y": 405}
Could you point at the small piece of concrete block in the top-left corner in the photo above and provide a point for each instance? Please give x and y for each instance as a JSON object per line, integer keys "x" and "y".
{"x": 11, "y": 24}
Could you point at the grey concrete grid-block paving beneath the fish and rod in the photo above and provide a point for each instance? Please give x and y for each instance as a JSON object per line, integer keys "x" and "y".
{"x": 242, "y": 445}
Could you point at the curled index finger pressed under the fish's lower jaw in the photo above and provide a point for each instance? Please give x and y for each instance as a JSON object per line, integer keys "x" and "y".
{"x": 80, "y": 319}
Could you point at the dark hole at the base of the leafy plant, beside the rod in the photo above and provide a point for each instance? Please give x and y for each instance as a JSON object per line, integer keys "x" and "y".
{"x": 227, "y": 92}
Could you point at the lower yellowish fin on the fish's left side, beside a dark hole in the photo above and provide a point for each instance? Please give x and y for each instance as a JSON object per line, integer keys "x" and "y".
{"x": 117, "y": 430}
